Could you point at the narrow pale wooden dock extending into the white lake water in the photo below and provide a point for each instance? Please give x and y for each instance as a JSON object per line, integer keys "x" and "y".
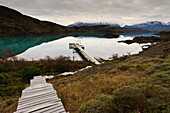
{"x": 83, "y": 52}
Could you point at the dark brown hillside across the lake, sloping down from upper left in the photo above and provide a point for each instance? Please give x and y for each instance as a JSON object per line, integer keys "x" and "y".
{"x": 13, "y": 23}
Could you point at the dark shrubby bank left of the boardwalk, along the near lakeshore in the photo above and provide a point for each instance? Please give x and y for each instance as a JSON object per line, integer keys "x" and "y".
{"x": 15, "y": 74}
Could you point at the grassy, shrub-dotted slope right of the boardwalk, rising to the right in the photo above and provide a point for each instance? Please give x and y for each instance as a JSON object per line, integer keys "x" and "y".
{"x": 138, "y": 83}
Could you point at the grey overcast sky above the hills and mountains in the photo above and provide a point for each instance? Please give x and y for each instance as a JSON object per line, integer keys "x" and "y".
{"x": 113, "y": 11}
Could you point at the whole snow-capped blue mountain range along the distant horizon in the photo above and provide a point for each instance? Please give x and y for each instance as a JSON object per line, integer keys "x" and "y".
{"x": 151, "y": 26}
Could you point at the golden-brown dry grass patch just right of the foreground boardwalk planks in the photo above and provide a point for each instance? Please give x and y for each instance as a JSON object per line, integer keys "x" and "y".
{"x": 76, "y": 93}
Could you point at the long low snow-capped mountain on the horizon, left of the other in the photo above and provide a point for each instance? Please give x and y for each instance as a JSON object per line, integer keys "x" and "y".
{"x": 77, "y": 24}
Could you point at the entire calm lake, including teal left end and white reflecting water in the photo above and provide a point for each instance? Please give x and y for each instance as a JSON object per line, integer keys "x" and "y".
{"x": 39, "y": 47}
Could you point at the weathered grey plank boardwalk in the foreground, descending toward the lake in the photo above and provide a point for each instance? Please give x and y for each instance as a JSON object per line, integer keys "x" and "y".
{"x": 40, "y": 97}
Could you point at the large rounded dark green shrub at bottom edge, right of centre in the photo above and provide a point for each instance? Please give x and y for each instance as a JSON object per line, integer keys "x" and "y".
{"x": 129, "y": 98}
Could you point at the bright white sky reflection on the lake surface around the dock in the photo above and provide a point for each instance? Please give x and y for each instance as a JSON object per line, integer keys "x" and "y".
{"x": 97, "y": 47}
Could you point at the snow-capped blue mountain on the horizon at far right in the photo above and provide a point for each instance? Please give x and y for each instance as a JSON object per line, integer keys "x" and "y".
{"x": 153, "y": 25}
